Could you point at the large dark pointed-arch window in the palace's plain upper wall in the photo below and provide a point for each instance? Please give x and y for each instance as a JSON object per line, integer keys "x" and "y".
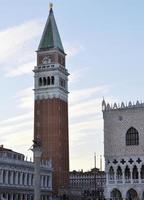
{"x": 132, "y": 137}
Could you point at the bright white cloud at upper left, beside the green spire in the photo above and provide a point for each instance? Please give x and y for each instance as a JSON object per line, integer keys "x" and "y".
{"x": 13, "y": 39}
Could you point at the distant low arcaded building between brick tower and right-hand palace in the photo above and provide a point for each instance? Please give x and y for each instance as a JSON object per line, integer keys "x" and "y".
{"x": 88, "y": 185}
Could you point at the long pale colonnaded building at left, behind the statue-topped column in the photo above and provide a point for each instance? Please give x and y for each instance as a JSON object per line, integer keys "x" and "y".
{"x": 17, "y": 177}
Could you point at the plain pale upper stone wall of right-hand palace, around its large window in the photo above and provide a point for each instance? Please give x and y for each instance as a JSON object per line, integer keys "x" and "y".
{"x": 116, "y": 124}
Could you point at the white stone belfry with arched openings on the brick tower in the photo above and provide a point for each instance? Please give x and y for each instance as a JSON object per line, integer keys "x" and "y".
{"x": 51, "y": 79}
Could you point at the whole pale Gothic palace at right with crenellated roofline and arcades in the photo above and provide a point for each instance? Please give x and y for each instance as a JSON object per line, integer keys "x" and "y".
{"x": 124, "y": 150}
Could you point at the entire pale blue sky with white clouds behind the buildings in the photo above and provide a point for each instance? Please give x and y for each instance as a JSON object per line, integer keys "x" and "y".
{"x": 104, "y": 41}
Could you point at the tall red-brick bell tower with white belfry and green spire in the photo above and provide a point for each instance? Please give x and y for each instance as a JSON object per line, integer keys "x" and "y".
{"x": 51, "y": 103}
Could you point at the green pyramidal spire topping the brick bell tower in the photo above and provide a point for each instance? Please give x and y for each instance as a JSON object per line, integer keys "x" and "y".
{"x": 51, "y": 38}
